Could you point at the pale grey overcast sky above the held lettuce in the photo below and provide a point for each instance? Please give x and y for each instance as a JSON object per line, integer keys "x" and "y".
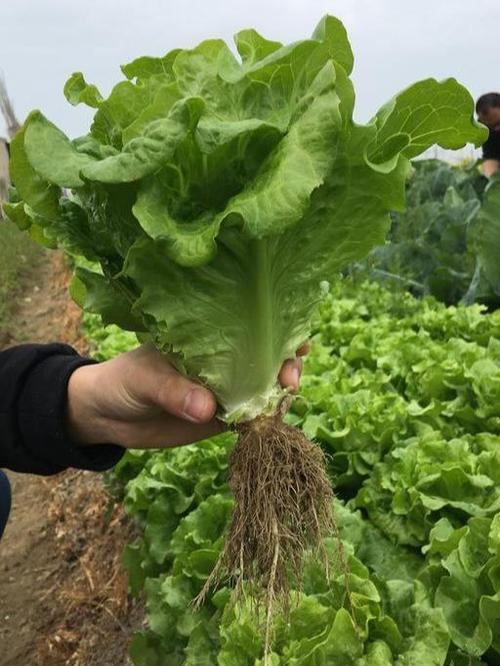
{"x": 395, "y": 42}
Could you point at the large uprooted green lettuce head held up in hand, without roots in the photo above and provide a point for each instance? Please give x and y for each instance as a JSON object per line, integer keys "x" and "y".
{"x": 221, "y": 193}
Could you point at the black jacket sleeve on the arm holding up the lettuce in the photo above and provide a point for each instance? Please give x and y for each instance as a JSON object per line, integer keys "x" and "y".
{"x": 33, "y": 402}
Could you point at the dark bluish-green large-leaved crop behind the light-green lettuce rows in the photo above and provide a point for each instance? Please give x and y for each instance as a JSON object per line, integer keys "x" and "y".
{"x": 447, "y": 241}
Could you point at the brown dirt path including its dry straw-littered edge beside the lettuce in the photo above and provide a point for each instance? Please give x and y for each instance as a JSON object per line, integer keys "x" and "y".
{"x": 50, "y": 611}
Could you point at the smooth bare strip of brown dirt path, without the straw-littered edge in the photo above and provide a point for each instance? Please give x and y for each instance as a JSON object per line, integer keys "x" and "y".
{"x": 26, "y": 559}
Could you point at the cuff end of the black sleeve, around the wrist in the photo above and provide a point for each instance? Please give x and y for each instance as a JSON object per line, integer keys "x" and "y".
{"x": 43, "y": 418}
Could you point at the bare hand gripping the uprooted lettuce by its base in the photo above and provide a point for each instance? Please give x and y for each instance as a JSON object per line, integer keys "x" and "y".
{"x": 139, "y": 400}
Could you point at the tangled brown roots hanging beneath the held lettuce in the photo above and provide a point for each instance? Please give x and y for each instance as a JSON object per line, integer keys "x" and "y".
{"x": 283, "y": 507}
